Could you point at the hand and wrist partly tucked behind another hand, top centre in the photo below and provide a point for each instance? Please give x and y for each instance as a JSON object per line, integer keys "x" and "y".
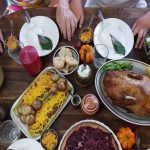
{"x": 77, "y": 9}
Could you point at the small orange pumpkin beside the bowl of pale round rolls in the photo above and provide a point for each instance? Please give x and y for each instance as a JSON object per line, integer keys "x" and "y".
{"x": 86, "y": 54}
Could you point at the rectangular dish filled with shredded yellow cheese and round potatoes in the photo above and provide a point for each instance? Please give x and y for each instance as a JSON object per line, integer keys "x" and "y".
{"x": 41, "y": 103}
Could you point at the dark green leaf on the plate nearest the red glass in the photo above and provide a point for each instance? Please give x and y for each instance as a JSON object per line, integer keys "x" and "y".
{"x": 45, "y": 42}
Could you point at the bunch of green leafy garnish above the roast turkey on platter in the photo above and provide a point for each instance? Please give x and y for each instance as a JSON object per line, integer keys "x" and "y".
{"x": 117, "y": 66}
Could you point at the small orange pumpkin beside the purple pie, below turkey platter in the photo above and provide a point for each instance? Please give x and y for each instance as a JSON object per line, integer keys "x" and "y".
{"x": 126, "y": 137}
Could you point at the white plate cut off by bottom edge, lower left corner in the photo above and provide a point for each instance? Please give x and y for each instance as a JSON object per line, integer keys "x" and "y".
{"x": 26, "y": 144}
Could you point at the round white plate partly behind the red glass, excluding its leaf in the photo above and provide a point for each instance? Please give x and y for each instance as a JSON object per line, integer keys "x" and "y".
{"x": 39, "y": 25}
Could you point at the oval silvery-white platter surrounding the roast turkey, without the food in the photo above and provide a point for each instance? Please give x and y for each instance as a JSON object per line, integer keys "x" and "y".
{"x": 139, "y": 67}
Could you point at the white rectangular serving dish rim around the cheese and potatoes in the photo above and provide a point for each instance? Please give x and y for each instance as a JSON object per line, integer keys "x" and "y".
{"x": 23, "y": 127}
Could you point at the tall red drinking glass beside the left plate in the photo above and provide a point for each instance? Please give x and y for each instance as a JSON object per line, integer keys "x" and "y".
{"x": 31, "y": 60}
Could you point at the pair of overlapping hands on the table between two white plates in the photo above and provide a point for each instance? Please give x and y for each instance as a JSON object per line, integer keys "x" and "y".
{"x": 68, "y": 16}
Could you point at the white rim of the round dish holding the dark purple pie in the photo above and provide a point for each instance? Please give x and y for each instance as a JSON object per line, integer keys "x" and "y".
{"x": 90, "y": 121}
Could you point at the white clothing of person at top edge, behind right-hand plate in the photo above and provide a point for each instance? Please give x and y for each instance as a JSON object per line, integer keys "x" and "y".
{"x": 116, "y": 3}
